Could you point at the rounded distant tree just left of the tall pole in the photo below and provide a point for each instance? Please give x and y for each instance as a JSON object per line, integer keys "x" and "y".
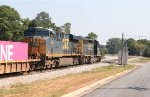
{"x": 114, "y": 45}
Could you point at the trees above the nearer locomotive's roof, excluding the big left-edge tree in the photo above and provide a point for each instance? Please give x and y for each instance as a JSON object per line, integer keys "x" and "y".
{"x": 44, "y": 20}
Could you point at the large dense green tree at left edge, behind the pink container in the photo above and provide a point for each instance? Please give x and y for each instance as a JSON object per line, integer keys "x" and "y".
{"x": 10, "y": 24}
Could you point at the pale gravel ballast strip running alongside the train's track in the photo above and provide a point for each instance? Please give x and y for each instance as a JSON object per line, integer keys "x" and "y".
{"x": 11, "y": 81}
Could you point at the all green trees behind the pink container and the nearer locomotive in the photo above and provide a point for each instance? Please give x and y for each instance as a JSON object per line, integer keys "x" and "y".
{"x": 12, "y": 26}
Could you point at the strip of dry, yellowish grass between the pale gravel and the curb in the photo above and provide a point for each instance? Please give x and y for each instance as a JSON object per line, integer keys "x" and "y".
{"x": 62, "y": 85}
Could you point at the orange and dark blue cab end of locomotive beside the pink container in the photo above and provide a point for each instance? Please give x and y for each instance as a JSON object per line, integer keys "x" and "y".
{"x": 36, "y": 38}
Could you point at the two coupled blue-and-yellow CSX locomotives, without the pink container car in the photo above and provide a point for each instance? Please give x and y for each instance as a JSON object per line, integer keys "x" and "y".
{"x": 56, "y": 48}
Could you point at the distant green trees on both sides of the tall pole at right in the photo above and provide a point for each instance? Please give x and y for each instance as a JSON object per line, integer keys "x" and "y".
{"x": 136, "y": 47}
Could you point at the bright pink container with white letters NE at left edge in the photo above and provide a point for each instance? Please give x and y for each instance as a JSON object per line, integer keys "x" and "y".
{"x": 13, "y": 50}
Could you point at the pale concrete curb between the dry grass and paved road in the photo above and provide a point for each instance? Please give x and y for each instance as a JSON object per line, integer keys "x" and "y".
{"x": 87, "y": 89}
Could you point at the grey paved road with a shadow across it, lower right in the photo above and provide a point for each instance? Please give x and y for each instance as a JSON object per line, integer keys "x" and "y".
{"x": 135, "y": 84}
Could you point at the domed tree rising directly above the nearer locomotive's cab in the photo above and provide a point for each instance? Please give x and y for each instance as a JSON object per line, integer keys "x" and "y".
{"x": 42, "y": 20}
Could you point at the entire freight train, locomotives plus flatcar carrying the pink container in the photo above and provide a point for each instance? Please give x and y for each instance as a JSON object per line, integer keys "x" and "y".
{"x": 42, "y": 48}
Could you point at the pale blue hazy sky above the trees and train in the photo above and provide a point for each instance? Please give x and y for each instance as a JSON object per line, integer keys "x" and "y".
{"x": 107, "y": 18}
